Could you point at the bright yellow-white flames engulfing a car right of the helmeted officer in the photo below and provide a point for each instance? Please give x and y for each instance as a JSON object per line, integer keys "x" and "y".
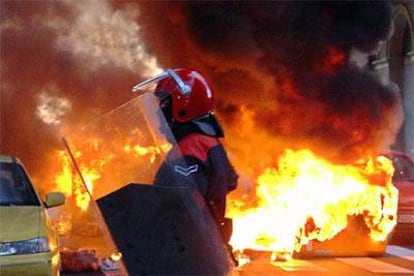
{"x": 308, "y": 198}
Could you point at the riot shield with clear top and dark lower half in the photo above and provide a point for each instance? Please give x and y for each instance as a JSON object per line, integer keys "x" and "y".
{"x": 159, "y": 229}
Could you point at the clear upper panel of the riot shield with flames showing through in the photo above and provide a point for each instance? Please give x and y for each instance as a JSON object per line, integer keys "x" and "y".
{"x": 126, "y": 145}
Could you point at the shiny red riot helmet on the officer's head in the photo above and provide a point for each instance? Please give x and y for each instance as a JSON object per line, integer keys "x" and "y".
{"x": 191, "y": 94}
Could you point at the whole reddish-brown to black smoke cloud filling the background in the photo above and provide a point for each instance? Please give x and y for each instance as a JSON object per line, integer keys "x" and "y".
{"x": 280, "y": 70}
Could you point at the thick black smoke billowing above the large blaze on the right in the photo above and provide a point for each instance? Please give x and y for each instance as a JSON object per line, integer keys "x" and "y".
{"x": 288, "y": 61}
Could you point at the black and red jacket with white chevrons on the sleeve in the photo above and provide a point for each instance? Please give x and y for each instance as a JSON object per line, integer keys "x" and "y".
{"x": 200, "y": 161}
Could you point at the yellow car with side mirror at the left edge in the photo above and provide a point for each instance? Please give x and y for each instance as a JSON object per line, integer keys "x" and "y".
{"x": 28, "y": 243}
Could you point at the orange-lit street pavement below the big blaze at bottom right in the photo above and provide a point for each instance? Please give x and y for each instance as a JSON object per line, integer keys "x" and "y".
{"x": 397, "y": 260}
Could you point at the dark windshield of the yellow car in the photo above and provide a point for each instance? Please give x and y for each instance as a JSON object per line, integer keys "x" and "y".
{"x": 15, "y": 187}
